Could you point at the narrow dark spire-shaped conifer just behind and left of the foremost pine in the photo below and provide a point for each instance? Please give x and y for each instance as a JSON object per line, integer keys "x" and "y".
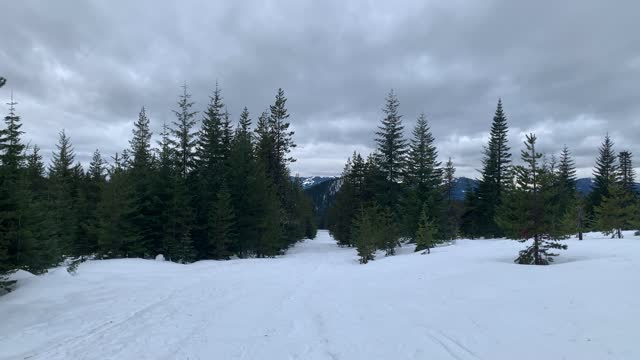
{"x": 495, "y": 174}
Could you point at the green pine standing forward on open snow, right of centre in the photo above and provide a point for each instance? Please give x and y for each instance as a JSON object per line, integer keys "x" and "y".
{"x": 523, "y": 215}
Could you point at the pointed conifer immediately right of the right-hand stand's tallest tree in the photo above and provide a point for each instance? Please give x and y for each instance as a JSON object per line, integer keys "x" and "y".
{"x": 423, "y": 178}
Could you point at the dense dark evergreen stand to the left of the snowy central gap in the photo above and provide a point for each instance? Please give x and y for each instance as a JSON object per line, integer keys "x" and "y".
{"x": 212, "y": 192}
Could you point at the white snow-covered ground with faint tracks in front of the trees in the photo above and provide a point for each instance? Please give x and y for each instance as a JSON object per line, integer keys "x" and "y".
{"x": 465, "y": 301}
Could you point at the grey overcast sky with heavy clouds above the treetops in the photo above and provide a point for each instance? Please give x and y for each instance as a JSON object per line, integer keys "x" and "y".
{"x": 567, "y": 70}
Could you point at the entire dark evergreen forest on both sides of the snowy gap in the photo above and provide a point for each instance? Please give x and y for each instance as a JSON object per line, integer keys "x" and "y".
{"x": 224, "y": 189}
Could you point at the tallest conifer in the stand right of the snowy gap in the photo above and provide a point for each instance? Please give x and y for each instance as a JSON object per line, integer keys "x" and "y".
{"x": 391, "y": 153}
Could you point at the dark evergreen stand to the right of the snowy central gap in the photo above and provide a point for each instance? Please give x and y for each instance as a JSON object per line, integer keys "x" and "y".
{"x": 402, "y": 192}
